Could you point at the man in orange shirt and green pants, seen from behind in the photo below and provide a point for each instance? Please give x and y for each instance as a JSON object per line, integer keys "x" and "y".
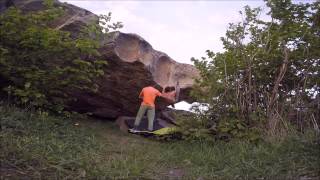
{"x": 148, "y": 94}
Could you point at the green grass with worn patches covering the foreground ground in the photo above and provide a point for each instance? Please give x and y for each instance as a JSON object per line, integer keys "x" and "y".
{"x": 38, "y": 146}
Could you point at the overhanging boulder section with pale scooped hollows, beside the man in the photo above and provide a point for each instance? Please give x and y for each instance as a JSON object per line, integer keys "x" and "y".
{"x": 132, "y": 65}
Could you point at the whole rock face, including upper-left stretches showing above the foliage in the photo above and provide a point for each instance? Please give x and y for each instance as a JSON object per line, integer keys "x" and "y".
{"x": 132, "y": 65}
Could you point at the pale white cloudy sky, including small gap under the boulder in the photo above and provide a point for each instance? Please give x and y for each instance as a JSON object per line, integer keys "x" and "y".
{"x": 181, "y": 29}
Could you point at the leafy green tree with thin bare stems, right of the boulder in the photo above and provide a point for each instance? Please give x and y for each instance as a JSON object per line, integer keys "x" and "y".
{"x": 268, "y": 72}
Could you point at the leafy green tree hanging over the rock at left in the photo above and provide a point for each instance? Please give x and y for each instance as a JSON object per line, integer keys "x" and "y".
{"x": 42, "y": 64}
